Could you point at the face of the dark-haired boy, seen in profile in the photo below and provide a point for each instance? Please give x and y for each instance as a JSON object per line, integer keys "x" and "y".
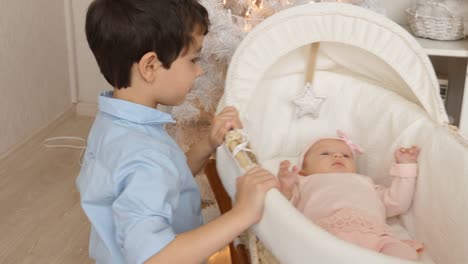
{"x": 175, "y": 83}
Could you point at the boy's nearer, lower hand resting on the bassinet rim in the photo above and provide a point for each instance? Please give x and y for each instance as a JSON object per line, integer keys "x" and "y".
{"x": 251, "y": 190}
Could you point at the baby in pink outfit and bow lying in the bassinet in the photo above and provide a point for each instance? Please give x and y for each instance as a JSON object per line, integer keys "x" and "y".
{"x": 326, "y": 188}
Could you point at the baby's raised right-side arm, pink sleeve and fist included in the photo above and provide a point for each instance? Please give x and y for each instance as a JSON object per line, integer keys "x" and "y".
{"x": 397, "y": 199}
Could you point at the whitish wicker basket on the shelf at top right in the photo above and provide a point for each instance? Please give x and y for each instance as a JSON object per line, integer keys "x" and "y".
{"x": 439, "y": 28}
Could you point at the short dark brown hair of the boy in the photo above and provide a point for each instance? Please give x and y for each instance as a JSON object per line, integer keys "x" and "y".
{"x": 120, "y": 32}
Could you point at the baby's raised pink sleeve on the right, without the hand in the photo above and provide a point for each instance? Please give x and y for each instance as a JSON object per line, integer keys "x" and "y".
{"x": 398, "y": 197}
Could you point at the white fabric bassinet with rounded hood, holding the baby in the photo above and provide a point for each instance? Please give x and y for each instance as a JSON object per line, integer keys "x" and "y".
{"x": 381, "y": 89}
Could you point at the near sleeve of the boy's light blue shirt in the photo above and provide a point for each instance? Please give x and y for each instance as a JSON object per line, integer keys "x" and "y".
{"x": 143, "y": 210}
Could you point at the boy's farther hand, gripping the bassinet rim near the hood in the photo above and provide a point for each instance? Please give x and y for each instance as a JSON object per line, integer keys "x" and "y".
{"x": 226, "y": 120}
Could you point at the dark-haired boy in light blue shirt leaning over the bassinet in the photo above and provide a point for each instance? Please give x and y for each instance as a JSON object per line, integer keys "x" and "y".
{"x": 136, "y": 184}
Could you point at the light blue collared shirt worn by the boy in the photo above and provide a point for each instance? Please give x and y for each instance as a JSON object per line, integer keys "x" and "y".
{"x": 136, "y": 187}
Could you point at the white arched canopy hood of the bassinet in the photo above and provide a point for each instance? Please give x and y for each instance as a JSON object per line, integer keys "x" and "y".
{"x": 399, "y": 63}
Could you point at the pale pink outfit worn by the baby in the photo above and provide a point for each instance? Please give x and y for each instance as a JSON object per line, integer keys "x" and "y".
{"x": 351, "y": 207}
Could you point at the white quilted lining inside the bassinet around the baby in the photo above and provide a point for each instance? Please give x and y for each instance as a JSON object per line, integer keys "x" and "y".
{"x": 380, "y": 121}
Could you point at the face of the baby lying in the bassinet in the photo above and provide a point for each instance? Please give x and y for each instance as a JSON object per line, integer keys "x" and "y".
{"x": 329, "y": 156}
